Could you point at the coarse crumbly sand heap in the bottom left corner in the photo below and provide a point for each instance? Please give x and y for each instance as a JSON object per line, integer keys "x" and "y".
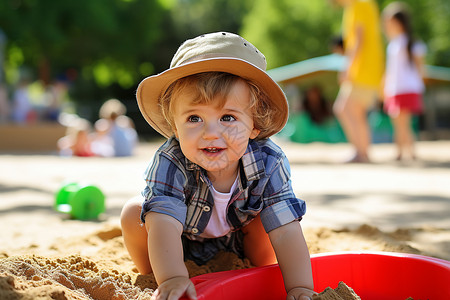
{"x": 72, "y": 277}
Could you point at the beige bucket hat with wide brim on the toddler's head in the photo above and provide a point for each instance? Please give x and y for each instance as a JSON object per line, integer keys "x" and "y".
{"x": 214, "y": 52}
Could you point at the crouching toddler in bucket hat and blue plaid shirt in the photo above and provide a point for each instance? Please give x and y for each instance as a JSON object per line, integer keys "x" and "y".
{"x": 218, "y": 183}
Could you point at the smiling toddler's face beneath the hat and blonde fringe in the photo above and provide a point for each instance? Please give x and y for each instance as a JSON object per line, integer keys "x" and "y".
{"x": 212, "y": 137}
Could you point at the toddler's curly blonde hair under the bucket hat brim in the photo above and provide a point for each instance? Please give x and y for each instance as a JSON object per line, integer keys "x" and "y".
{"x": 213, "y": 86}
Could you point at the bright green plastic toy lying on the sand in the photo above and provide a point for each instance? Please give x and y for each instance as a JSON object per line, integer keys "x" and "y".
{"x": 82, "y": 202}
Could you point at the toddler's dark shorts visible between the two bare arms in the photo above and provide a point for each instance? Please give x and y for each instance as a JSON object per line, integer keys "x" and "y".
{"x": 202, "y": 251}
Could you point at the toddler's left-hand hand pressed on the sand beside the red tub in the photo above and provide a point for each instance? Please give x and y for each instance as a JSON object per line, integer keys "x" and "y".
{"x": 174, "y": 288}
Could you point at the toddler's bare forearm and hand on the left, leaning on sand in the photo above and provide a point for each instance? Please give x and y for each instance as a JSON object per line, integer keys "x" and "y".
{"x": 166, "y": 257}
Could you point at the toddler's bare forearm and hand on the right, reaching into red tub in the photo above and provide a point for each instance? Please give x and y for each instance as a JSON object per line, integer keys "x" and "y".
{"x": 293, "y": 259}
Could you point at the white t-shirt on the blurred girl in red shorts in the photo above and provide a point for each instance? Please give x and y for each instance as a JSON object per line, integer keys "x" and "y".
{"x": 402, "y": 75}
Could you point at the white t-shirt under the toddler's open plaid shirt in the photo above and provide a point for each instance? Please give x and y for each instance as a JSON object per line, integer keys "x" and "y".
{"x": 218, "y": 225}
